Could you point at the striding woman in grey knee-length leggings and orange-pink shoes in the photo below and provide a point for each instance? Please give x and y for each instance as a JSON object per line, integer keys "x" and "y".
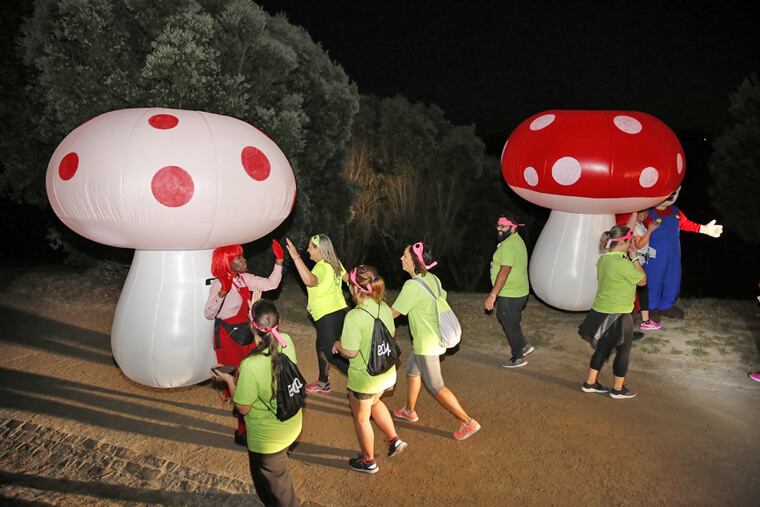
{"x": 424, "y": 364}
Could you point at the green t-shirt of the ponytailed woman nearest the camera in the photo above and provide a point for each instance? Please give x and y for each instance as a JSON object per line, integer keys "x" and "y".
{"x": 266, "y": 433}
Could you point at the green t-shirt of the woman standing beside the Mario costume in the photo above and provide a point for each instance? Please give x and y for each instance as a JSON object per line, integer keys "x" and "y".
{"x": 617, "y": 278}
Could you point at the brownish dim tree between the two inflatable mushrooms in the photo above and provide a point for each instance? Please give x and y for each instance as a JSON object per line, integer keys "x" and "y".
{"x": 421, "y": 178}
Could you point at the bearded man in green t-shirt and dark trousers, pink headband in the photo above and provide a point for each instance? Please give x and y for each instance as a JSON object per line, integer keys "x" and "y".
{"x": 509, "y": 294}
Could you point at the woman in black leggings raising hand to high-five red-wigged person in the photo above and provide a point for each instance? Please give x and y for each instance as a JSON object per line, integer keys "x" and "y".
{"x": 326, "y": 304}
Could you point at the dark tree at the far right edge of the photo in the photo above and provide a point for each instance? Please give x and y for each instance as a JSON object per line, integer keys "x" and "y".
{"x": 735, "y": 164}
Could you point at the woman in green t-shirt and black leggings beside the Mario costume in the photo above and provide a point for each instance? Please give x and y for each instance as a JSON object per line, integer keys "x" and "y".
{"x": 608, "y": 325}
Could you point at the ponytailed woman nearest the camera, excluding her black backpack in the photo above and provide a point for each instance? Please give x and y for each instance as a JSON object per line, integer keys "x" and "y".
{"x": 255, "y": 398}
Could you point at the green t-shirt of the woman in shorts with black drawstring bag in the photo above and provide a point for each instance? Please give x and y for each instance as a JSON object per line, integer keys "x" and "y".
{"x": 357, "y": 335}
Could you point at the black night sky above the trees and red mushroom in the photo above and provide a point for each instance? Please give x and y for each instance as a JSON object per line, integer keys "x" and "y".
{"x": 496, "y": 65}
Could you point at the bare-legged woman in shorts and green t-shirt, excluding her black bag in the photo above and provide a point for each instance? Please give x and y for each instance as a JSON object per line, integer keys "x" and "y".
{"x": 365, "y": 390}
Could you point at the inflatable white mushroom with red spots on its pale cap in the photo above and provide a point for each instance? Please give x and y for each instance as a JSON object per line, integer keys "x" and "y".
{"x": 173, "y": 185}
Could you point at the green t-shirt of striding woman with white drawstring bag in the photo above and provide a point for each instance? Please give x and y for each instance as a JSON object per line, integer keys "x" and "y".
{"x": 417, "y": 303}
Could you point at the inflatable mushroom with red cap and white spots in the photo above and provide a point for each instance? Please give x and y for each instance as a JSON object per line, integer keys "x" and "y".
{"x": 586, "y": 166}
